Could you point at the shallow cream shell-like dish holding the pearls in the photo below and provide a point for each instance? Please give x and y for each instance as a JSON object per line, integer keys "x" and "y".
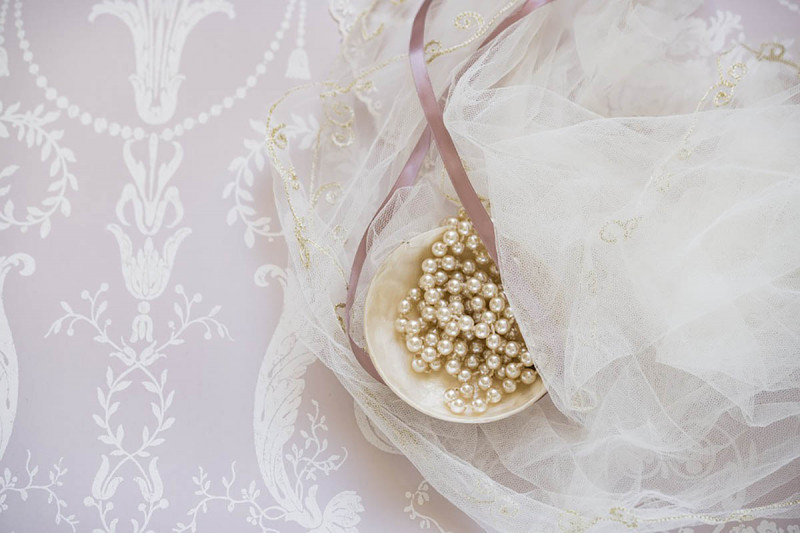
{"x": 388, "y": 352}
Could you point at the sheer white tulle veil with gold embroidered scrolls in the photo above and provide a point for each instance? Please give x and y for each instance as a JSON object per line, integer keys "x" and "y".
{"x": 646, "y": 196}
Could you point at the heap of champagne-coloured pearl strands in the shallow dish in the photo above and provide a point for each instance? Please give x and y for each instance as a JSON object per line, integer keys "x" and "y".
{"x": 458, "y": 319}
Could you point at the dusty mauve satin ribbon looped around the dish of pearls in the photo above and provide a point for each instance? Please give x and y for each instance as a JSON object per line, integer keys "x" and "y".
{"x": 447, "y": 150}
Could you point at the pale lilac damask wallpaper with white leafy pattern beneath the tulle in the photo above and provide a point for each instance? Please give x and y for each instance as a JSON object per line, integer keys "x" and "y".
{"x": 141, "y": 275}
